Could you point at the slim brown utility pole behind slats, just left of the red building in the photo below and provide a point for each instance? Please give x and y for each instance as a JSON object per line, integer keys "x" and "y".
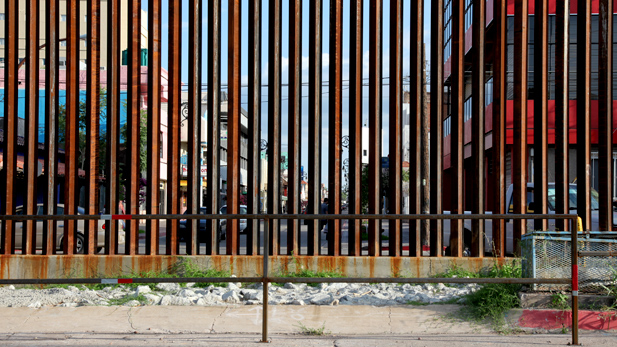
{"x": 425, "y": 224}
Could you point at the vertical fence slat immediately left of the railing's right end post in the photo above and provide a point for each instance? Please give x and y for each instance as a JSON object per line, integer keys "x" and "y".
{"x": 562, "y": 96}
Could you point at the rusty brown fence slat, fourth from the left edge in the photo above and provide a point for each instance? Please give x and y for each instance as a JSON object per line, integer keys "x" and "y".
{"x": 71, "y": 126}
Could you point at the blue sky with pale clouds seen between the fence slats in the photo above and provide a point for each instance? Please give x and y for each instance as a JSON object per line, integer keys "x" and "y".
{"x": 305, "y": 61}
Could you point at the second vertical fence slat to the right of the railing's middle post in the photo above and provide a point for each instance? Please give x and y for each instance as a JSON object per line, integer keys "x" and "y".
{"x": 295, "y": 125}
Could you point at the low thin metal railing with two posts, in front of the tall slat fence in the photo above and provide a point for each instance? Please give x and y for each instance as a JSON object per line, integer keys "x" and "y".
{"x": 575, "y": 222}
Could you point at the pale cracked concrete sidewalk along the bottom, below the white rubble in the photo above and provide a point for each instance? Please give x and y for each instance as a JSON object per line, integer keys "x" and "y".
{"x": 434, "y": 325}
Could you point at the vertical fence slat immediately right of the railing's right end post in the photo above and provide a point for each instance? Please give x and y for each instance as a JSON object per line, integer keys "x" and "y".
{"x": 583, "y": 112}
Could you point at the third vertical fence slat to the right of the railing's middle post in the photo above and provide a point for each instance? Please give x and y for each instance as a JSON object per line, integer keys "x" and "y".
{"x": 314, "y": 160}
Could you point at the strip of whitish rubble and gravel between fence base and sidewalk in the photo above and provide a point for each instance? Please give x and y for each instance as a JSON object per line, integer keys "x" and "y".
{"x": 380, "y": 294}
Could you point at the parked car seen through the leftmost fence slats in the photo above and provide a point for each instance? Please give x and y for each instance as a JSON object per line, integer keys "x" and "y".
{"x": 79, "y": 236}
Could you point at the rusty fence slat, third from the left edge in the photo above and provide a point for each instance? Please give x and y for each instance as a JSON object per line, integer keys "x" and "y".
{"x": 52, "y": 93}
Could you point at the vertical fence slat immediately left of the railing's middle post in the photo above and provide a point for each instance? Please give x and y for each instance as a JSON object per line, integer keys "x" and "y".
{"x": 254, "y": 123}
